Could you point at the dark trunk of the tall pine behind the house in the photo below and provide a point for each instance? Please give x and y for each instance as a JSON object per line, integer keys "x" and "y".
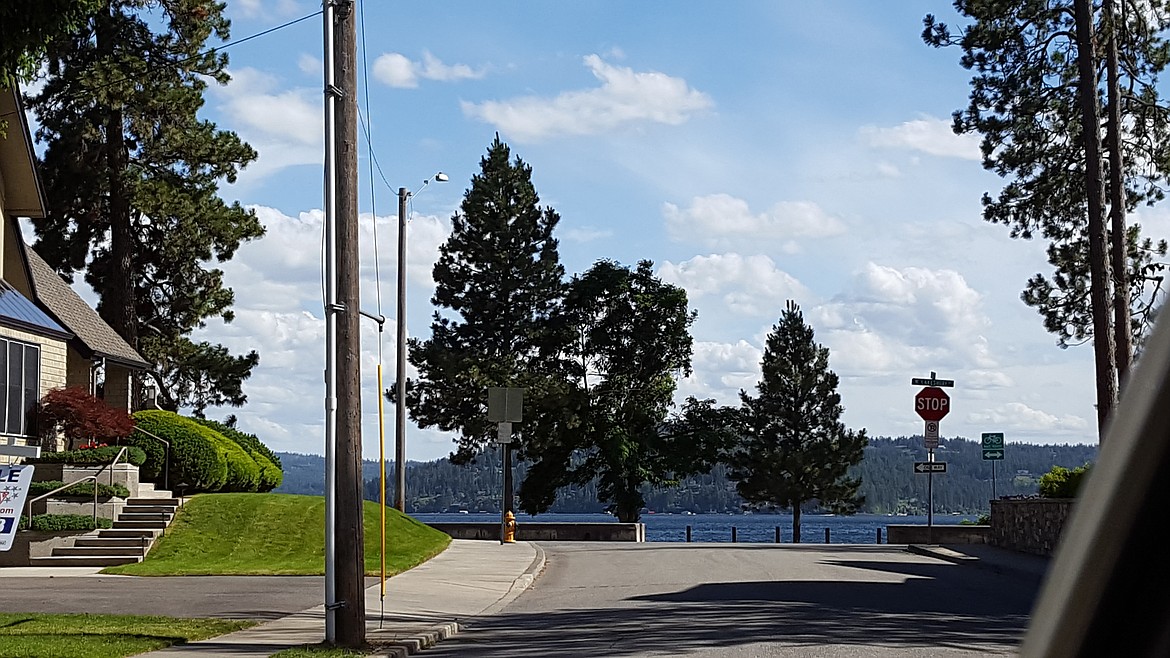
{"x": 119, "y": 300}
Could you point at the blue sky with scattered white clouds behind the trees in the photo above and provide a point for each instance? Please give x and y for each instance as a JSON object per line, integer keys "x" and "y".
{"x": 755, "y": 152}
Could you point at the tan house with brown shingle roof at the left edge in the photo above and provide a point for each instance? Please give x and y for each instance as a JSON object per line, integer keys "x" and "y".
{"x": 50, "y": 338}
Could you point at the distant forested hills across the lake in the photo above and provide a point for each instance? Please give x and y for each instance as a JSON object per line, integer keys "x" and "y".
{"x": 887, "y": 472}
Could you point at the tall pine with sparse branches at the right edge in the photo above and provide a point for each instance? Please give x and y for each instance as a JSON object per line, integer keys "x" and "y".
{"x": 1042, "y": 71}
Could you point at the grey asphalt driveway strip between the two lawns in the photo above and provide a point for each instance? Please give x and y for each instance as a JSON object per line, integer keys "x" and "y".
{"x": 237, "y": 598}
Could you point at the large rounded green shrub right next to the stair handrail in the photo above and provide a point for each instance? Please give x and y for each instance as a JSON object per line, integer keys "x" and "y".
{"x": 196, "y": 461}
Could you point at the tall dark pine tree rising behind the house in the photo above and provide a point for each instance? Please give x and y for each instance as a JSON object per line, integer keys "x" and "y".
{"x": 132, "y": 176}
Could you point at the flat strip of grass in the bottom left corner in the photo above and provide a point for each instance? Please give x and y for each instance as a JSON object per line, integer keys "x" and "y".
{"x": 101, "y": 636}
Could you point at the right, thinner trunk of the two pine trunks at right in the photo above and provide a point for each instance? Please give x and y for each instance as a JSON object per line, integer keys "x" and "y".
{"x": 1123, "y": 331}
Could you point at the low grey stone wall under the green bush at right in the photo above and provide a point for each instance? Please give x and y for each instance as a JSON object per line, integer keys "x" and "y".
{"x": 1029, "y": 525}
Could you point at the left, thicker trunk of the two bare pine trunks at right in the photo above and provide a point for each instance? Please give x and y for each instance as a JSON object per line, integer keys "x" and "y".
{"x": 1099, "y": 266}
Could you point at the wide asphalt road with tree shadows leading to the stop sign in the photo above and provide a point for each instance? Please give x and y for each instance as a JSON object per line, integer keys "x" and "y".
{"x": 752, "y": 600}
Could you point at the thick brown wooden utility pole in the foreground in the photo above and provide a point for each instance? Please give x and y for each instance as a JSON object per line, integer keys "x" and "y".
{"x": 350, "y": 556}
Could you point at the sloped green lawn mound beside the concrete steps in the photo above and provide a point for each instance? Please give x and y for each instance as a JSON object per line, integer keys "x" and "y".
{"x": 274, "y": 534}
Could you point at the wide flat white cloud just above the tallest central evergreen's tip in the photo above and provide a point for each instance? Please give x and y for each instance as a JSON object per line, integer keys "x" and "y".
{"x": 625, "y": 98}
